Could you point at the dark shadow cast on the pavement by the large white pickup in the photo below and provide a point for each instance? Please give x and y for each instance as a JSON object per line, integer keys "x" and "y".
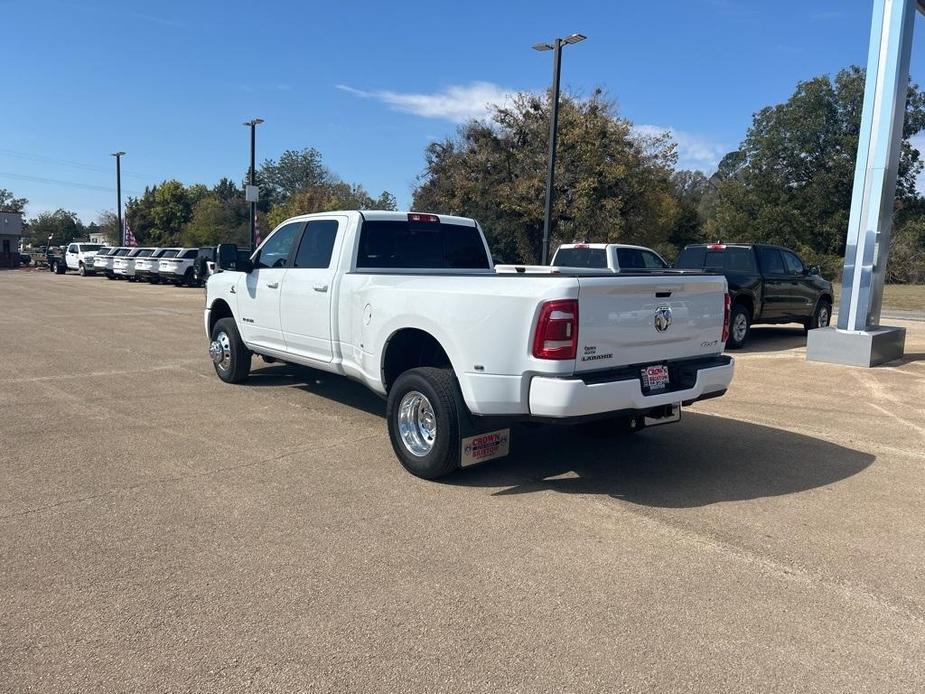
{"x": 702, "y": 460}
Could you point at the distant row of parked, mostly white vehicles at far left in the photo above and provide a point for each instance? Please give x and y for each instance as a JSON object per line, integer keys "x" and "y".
{"x": 179, "y": 266}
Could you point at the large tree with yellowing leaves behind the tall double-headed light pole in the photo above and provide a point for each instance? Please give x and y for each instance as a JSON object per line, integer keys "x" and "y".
{"x": 611, "y": 185}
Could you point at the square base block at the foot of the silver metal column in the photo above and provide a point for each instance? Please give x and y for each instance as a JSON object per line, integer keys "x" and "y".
{"x": 865, "y": 348}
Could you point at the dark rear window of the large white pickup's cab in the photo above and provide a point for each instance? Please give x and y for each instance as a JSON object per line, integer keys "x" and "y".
{"x": 420, "y": 245}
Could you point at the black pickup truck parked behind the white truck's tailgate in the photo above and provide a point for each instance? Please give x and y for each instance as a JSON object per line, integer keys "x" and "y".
{"x": 768, "y": 284}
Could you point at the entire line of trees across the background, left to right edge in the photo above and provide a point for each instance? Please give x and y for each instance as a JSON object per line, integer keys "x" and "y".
{"x": 789, "y": 182}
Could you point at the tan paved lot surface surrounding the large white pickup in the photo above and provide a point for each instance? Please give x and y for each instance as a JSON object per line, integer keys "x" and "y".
{"x": 163, "y": 531}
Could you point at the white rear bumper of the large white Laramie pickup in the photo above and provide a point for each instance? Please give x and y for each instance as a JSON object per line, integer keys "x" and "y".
{"x": 559, "y": 398}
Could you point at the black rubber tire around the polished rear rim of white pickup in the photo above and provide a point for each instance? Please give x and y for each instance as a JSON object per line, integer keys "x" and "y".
{"x": 438, "y": 386}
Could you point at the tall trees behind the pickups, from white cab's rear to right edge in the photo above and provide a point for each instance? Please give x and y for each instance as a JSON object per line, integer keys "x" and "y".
{"x": 789, "y": 182}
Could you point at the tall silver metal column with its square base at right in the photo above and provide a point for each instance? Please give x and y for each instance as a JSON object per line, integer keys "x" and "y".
{"x": 860, "y": 339}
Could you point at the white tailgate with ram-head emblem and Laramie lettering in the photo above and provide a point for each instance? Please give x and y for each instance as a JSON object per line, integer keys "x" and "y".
{"x": 645, "y": 320}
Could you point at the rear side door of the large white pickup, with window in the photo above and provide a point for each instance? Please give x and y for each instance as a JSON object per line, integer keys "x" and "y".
{"x": 306, "y": 299}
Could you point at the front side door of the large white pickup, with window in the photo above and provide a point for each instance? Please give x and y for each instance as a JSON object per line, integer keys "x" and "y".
{"x": 259, "y": 290}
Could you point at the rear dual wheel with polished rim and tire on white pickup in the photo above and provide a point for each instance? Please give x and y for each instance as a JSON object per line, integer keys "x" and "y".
{"x": 423, "y": 422}
